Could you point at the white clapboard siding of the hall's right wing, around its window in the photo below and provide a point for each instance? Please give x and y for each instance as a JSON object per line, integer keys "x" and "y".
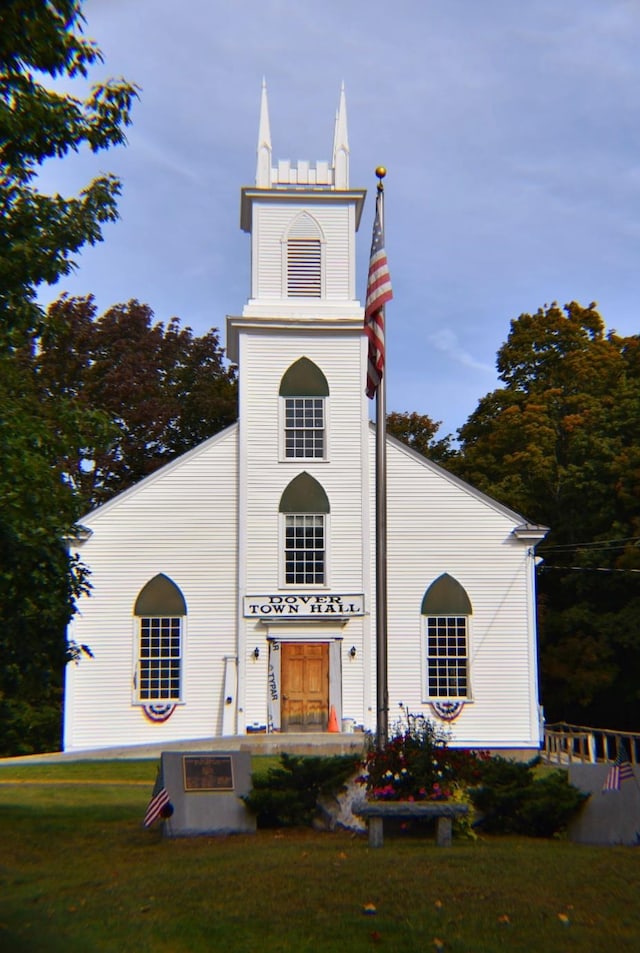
{"x": 437, "y": 524}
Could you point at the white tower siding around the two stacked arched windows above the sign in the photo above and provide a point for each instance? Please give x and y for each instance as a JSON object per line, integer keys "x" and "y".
{"x": 267, "y": 475}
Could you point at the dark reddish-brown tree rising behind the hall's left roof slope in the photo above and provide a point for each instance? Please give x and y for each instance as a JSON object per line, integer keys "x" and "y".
{"x": 164, "y": 389}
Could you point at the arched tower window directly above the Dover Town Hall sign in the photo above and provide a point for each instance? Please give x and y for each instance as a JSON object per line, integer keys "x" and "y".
{"x": 305, "y": 509}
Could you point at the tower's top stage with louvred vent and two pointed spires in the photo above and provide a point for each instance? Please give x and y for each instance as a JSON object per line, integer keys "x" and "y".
{"x": 302, "y": 218}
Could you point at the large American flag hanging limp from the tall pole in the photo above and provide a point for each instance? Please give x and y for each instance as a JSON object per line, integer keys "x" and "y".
{"x": 378, "y": 293}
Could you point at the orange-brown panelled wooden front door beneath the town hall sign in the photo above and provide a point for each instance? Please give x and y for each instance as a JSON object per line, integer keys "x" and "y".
{"x": 304, "y": 686}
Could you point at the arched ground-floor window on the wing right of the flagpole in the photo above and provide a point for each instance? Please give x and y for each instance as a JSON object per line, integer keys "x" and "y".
{"x": 446, "y": 609}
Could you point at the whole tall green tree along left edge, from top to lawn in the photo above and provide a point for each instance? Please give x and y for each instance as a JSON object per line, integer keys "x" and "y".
{"x": 41, "y": 42}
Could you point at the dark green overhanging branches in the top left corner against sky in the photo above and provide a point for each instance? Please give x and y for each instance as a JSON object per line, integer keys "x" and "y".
{"x": 41, "y": 233}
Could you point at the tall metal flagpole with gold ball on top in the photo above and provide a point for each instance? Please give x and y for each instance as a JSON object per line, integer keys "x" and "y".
{"x": 382, "y": 688}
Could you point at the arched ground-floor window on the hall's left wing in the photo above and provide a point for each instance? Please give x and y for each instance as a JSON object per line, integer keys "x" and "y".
{"x": 160, "y": 611}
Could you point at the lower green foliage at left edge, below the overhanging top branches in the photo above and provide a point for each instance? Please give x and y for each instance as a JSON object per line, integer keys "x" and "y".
{"x": 39, "y": 579}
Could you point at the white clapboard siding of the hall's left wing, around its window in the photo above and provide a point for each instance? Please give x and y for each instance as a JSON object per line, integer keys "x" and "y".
{"x": 181, "y": 521}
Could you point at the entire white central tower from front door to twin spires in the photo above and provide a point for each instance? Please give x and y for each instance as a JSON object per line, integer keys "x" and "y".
{"x": 304, "y": 513}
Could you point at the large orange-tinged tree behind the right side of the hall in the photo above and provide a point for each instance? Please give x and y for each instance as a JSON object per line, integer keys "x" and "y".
{"x": 559, "y": 443}
